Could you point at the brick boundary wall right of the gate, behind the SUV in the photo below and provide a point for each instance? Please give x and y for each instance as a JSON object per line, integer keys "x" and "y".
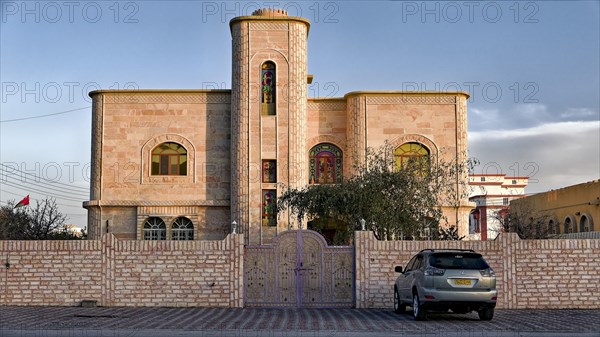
{"x": 531, "y": 274}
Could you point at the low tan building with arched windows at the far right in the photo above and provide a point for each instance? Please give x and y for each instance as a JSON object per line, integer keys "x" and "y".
{"x": 572, "y": 209}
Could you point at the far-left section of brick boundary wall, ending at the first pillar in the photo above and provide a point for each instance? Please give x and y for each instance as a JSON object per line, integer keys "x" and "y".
{"x": 50, "y": 272}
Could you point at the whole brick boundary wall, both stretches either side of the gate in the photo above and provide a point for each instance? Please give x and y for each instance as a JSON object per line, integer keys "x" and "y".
{"x": 531, "y": 274}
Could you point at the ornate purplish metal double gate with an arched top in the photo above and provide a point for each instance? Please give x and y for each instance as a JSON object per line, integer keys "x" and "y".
{"x": 299, "y": 270}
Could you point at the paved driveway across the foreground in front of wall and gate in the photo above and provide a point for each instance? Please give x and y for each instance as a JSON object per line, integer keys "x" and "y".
{"x": 74, "y": 321}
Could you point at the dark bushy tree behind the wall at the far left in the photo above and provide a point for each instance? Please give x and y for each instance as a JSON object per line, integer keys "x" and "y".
{"x": 42, "y": 222}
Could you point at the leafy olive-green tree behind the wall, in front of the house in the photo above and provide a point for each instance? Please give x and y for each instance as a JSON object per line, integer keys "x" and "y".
{"x": 396, "y": 200}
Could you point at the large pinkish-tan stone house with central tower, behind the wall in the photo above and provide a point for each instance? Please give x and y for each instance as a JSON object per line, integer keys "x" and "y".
{"x": 184, "y": 164}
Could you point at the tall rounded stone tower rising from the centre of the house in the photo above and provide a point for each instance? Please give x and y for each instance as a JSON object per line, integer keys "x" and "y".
{"x": 268, "y": 118}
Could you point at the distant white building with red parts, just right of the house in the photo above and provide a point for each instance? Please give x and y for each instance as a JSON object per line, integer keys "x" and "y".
{"x": 492, "y": 194}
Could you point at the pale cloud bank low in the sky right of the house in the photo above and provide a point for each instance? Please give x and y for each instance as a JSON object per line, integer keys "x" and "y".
{"x": 554, "y": 155}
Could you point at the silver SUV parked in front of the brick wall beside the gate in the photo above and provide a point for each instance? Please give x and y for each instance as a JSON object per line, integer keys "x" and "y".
{"x": 447, "y": 279}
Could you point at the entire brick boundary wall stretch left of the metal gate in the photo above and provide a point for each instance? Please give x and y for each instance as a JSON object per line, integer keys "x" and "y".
{"x": 123, "y": 273}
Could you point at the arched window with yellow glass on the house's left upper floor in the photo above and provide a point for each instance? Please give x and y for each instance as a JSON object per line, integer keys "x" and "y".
{"x": 169, "y": 159}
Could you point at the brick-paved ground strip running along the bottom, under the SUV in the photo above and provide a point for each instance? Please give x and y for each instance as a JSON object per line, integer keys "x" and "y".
{"x": 374, "y": 320}
